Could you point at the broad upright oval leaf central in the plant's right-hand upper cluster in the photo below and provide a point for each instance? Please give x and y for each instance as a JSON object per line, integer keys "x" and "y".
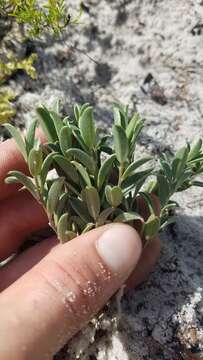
{"x": 120, "y": 143}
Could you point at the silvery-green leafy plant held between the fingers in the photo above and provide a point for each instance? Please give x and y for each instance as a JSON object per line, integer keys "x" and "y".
{"x": 96, "y": 178}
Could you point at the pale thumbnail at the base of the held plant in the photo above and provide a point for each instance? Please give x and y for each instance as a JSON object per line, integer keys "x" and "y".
{"x": 120, "y": 248}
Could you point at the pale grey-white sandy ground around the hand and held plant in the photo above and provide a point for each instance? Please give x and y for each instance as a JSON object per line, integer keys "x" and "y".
{"x": 148, "y": 54}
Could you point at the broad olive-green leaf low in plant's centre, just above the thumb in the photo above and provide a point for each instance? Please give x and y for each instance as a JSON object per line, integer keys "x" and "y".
{"x": 92, "y": 200}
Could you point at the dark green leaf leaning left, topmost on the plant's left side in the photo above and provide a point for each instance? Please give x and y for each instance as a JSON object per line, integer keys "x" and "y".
{"x": 47, "y": 124}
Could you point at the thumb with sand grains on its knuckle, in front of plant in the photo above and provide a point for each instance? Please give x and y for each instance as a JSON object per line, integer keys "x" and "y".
{"x": 54, "y": 300}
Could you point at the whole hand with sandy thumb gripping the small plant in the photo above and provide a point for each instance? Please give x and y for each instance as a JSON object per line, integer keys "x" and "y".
{"x": 50, "y": 291}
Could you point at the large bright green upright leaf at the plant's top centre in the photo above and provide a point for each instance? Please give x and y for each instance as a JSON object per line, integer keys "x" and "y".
{"x": 87, "y": 127}
